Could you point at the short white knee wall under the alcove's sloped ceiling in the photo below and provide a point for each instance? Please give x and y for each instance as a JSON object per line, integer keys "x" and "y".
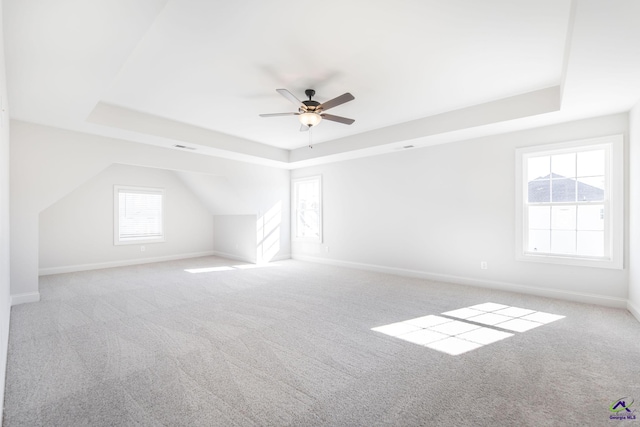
{"x": 235, "y": 237}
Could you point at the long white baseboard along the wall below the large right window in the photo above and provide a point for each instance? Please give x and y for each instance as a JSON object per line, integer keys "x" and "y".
{"x": 504, "y": 286}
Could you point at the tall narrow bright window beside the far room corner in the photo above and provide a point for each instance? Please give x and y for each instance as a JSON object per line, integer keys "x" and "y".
{"x": 307, "y": 204}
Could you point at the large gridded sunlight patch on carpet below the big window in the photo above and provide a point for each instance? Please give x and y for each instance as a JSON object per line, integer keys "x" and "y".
{"x": 483, "y": 324}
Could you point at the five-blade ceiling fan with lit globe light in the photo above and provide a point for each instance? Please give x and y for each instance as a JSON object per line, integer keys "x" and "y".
{"x": 311, "y": 112}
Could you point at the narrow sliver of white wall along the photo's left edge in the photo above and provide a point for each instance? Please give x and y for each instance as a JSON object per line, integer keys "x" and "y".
{"x": 5, "y": 308}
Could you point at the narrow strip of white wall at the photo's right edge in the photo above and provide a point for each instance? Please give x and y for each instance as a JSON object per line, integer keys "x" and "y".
{"x": 634, "y": 211}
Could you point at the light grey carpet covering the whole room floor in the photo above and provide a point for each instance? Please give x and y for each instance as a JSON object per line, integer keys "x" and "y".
{"x": 210, "y": 342}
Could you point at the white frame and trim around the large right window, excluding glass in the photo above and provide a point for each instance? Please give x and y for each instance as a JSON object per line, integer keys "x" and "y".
{"x": 614, "y": 202}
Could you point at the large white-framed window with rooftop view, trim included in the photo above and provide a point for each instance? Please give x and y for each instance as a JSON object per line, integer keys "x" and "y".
{"x": 570, "y": 203}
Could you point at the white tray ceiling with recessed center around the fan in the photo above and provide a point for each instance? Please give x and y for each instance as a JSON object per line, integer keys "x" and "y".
{"x": 198, "y": 72}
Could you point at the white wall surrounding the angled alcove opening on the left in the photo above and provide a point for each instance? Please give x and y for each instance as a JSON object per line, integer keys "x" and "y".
{"x": 49, "y": 163}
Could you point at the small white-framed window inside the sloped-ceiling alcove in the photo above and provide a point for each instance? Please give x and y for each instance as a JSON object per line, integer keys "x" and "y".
{"x": 138, "y": 215}
